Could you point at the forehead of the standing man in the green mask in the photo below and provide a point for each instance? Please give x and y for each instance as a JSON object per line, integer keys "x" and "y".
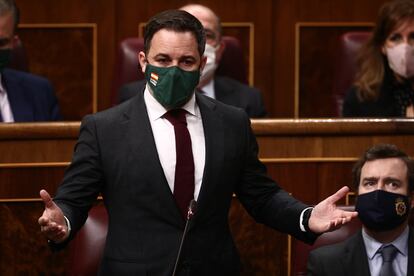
{"x": 174, "y": 44}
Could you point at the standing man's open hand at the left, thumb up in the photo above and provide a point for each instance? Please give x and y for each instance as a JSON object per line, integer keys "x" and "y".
{"x": 52, "y": 222}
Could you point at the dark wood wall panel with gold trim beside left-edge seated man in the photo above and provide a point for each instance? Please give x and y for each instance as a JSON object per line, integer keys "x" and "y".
{"x": 73, "y": 77}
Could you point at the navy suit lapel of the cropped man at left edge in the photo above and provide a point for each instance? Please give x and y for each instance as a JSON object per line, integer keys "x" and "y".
{"x": 21, "y": 109}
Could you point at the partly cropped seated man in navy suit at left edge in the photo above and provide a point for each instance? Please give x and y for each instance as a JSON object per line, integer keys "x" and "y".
{"x": 23, "y": 97}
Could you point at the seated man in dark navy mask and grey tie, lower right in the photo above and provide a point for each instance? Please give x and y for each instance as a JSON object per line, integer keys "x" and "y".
{"x": 384, "y": 177}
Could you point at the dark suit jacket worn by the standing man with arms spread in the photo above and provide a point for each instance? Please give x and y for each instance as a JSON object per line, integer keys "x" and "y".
{"x": 116, "y": 156}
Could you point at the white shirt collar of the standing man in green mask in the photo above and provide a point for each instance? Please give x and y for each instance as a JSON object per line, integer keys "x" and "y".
{"x": 156, "y": 110}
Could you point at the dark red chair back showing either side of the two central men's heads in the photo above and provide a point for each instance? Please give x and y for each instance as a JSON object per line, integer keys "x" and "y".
{"x": 127, "y": 68}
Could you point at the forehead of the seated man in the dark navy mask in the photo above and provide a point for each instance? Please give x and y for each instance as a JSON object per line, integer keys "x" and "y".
{"x": 381, "y": 168}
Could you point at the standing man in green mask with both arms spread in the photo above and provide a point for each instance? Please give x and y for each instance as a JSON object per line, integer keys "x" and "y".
{"x": 131, "y": 154}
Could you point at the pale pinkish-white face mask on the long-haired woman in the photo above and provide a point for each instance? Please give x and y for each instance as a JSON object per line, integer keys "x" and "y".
{"x": 401, "y": 59}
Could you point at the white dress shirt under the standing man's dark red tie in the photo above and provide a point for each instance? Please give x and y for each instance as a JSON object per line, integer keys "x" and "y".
{"x": 164, "y": 137}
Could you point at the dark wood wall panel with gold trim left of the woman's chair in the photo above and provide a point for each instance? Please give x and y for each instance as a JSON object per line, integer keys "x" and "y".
{"x": 318, "y": 47}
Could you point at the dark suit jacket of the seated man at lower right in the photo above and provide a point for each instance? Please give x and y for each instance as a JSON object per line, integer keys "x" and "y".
{"x": 349, "y": 258}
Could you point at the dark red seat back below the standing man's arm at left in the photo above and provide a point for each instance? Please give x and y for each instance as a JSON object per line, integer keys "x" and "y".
{"x": 85, "y": 250}
